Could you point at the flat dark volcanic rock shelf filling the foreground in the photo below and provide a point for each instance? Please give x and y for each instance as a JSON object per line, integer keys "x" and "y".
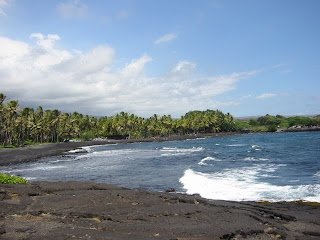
{"x": 82, "y": 210}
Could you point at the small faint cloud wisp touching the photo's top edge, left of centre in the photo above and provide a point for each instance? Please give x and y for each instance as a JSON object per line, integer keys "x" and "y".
{"x": 72, "y": 8}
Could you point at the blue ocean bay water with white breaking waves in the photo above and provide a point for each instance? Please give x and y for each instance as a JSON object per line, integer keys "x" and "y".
{"x": 273, "y": 167}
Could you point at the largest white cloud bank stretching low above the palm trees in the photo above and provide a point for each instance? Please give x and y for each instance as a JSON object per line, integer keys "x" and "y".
{"x": 88, "y": 82}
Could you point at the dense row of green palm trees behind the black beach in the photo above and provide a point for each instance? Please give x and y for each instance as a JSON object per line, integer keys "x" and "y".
{"x": 23, "y": 126}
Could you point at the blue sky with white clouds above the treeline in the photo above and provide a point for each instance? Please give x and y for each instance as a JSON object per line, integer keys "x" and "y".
{"x": 97, "y": 57}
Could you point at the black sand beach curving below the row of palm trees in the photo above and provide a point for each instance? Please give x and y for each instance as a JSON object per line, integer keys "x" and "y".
{"x": 12, "y": 156}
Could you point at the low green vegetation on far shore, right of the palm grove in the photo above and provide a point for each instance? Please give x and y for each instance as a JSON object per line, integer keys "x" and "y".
{"x": 270, "y": 123}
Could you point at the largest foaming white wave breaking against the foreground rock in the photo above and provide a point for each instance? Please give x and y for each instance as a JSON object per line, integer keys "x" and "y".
{"x": 243, "y": 185}
